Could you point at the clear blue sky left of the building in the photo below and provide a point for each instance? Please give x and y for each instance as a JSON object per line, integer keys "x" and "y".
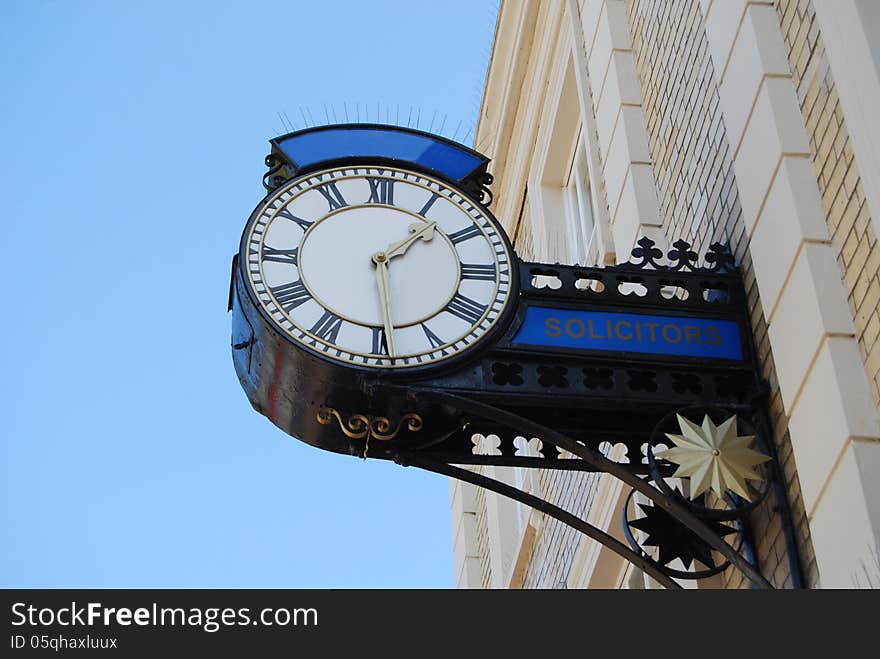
{"x": 133, "y": 137}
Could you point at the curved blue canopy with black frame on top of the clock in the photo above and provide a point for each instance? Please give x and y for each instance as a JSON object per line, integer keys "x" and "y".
{"x": 315, "y": 147}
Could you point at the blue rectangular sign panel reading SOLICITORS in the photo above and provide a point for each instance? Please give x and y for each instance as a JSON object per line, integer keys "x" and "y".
{"x": 630, "y": 332}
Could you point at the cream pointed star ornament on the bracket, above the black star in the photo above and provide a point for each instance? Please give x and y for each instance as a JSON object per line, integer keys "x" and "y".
{"x": 713, "y": 456}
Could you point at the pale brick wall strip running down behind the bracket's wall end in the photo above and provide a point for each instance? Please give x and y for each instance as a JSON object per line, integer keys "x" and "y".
{"x": 699, "y": 197}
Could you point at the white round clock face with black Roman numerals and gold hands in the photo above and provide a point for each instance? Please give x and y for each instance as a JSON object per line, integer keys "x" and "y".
{"x": 377, "y": 267}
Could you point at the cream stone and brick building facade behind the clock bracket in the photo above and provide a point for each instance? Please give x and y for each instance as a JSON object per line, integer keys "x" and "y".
{"x": 746, "y": 123}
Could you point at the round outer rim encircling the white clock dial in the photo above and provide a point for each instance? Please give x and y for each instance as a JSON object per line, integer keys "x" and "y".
{"x": 501, "y": 323}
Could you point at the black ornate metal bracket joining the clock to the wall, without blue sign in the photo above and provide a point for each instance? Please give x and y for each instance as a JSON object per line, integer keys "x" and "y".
{"x": 571, "y": 433}
